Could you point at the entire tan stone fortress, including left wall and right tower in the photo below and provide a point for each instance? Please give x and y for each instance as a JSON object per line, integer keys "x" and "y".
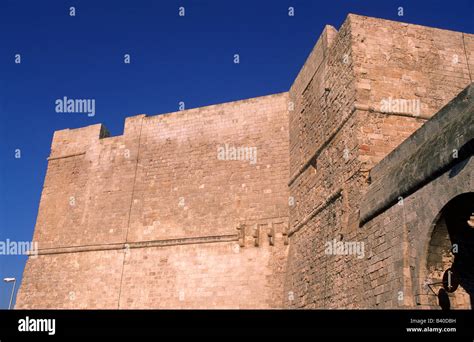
{"x": 152, "y": 218}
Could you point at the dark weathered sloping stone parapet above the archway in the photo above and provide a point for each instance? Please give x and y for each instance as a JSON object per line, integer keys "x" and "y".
{"x": 444, "y": 141}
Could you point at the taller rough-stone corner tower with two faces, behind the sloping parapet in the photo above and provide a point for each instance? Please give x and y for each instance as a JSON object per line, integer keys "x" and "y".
{"x": 338, "y": 131}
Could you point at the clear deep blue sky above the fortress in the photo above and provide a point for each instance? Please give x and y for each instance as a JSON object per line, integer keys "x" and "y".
{"x": 173, "y": 59}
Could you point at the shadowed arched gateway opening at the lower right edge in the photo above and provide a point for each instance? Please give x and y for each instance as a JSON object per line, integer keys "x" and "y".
{"x": 448, "y": 271}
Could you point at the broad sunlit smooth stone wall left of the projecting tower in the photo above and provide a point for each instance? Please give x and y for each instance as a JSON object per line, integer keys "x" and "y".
{"x": 150, "y": 218}
